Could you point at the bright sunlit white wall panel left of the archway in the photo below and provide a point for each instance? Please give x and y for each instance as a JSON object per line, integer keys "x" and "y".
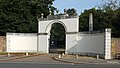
{"x": 21, "y": 42}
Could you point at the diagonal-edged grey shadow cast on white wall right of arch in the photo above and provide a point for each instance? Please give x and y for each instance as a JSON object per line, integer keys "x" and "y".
{"x": 88, "y": 44}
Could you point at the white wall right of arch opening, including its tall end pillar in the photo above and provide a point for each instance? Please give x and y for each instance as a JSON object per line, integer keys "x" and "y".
{"x": 97, "y": 43}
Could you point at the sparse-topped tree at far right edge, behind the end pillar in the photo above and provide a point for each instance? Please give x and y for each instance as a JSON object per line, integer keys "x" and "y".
{"x": 112, "y": 9}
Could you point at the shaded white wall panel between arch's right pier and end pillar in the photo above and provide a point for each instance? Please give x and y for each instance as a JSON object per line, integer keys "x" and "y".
{"x": 91, "y": 43}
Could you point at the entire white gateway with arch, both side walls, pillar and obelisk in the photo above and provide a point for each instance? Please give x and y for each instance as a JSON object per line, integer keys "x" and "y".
{"x": 85, "y": 43}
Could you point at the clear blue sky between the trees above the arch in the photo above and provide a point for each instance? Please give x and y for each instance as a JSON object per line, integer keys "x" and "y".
{"x": 79, "y": 5}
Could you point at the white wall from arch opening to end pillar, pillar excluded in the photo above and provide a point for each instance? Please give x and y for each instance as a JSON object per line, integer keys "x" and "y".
{"x": 86, "y": 43}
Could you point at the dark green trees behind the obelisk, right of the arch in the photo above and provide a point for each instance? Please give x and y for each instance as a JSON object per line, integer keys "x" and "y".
{"x": 104, "y": 17}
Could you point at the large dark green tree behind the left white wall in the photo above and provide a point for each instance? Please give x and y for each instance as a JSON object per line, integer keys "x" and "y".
{"x": 22, "y": 15}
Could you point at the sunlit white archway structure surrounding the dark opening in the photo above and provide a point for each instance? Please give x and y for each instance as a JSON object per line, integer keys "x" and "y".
{"x": 70, "y": 26}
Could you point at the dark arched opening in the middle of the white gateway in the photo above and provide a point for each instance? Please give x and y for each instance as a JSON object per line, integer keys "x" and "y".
{"x": 57, "y": 38}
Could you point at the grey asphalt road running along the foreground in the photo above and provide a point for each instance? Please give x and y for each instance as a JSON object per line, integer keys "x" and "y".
{"x": 54, "y": 65}
